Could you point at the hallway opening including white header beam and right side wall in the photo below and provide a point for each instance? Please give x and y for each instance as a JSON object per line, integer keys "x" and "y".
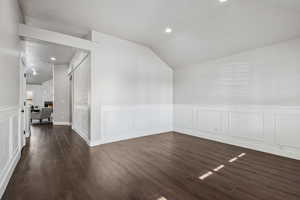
{"x": 56, "y": 86}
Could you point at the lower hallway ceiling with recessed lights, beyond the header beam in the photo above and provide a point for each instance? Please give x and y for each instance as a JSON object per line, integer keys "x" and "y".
{"x": 36, "y": 56}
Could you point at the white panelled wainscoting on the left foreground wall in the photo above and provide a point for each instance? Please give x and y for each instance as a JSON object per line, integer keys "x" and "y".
{"x": 10, "y": 144}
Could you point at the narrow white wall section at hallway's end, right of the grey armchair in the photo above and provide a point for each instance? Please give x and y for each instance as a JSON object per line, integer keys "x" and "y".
{"x": 61, "y": 104}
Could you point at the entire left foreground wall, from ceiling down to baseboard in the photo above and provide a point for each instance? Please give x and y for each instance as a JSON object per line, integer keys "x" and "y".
{"x": 9, "y": 86}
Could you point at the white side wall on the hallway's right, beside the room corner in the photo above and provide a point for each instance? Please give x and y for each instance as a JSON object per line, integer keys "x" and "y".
{"x": 81, "y": 98}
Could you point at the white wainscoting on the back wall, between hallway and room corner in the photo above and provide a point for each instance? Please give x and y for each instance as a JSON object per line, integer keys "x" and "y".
{"x": 131, "y": 121}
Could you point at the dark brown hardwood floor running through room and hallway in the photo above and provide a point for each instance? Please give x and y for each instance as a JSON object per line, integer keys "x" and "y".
{"x": 57, "y": 164}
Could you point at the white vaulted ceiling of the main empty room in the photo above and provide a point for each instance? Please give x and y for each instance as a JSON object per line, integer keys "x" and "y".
{"x": 202, "y": 29}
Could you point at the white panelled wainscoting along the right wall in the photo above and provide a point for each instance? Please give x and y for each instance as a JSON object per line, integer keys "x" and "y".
{"x": 272, "y": 129}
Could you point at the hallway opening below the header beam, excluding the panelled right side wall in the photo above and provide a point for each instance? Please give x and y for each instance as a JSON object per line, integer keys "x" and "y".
{"x": 47, "y": 85}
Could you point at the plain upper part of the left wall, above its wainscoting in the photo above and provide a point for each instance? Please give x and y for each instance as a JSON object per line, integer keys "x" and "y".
{"x": 9, "y": 53}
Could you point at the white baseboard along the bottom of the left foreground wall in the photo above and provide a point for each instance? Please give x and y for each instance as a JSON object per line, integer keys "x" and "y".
{"x": 8, "y": 171}
